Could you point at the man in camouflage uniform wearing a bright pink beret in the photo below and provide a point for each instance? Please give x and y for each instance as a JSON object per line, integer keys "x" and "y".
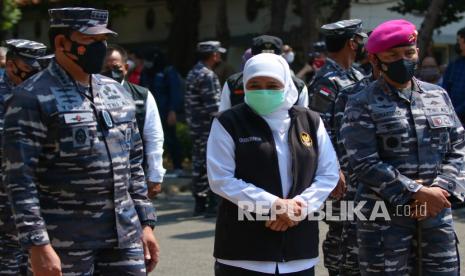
{"x": 406, "y": 147}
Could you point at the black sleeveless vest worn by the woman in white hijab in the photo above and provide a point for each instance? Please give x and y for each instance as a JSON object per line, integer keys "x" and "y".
{"x": 257, "y": 163}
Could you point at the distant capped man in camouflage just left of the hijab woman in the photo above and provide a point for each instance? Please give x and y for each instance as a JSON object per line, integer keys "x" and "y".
{"x": 202, "y": 100}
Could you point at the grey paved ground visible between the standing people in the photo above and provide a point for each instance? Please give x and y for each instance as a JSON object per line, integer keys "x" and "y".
{"x": 187, "y": 243}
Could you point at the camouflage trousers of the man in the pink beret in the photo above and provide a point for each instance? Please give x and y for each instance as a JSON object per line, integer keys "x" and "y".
{"x": 390, "y": 247}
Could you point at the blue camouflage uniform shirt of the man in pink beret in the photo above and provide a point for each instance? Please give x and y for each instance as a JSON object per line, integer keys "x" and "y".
{"x": 396, "y": 137}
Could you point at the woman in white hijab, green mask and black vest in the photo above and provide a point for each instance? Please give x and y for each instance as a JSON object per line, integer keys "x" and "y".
{"x": 272, "y": 163}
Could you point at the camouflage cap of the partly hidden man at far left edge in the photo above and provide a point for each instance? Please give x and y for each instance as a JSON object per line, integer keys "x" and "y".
{"x": 30, "y": 51}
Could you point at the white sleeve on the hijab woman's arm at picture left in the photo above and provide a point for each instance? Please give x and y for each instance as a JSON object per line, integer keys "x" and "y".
{"x": 221, "y": 165}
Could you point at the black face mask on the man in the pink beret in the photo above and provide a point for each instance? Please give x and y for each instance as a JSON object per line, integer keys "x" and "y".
{"x": 400, "y": 71}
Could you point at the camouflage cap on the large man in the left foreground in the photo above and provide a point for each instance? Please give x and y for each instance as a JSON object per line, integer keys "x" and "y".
{"x": 84, "y": 20}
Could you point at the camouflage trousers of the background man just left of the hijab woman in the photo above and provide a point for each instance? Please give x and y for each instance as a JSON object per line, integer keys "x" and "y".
{"x": 200, "y": 187}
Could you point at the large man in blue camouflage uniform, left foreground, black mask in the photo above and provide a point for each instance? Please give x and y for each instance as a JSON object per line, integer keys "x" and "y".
{"x": 72, "y": 160}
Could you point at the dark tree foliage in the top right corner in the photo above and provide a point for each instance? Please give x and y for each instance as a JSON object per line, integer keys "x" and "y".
{"x": 450, "y": 13}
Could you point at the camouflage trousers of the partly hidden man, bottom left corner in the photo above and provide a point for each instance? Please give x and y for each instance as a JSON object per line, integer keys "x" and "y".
{"x": 13, "y": 259}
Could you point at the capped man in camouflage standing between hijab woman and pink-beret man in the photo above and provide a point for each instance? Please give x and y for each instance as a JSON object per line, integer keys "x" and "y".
{"x": 329, "y": 93}
